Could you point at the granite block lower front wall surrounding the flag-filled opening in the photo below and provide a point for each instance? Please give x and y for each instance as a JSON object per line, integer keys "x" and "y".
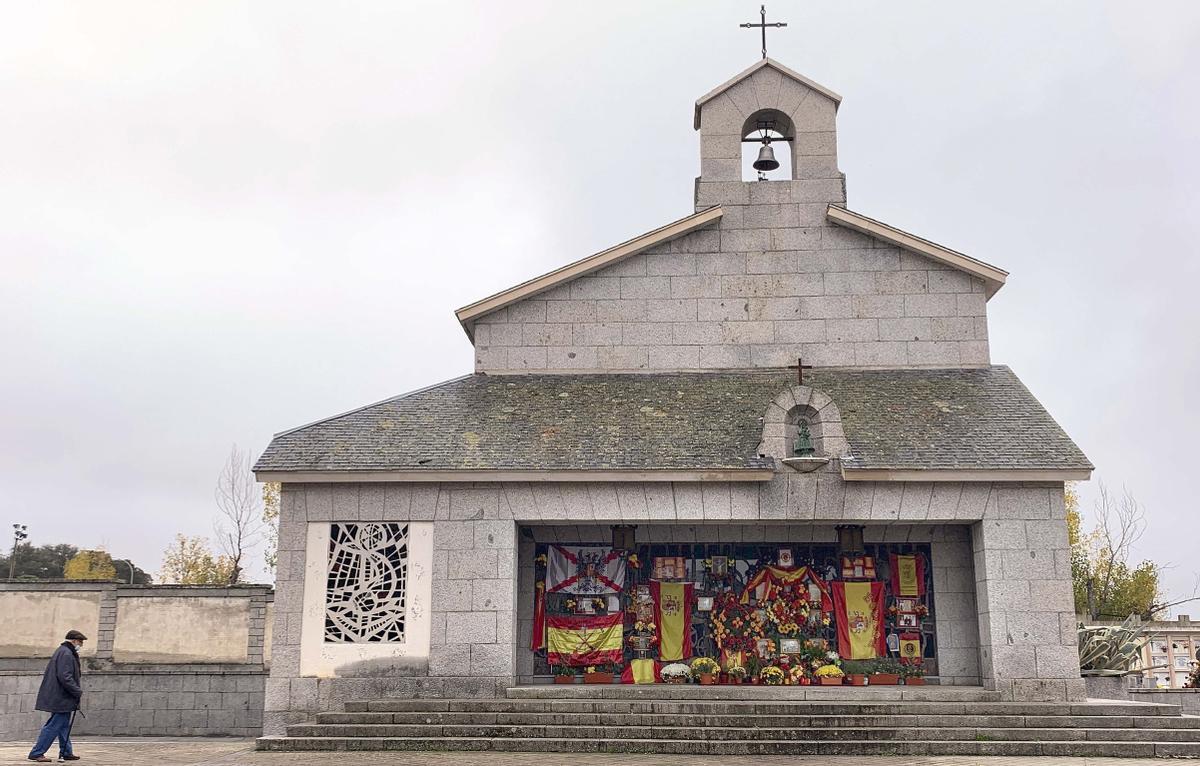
{"x": 477, "y": 611}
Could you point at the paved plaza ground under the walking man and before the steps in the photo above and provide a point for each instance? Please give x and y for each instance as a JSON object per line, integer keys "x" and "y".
{"x": 231, "y": 752}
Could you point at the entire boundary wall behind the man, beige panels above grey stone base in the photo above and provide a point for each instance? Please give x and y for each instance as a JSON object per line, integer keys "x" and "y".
{"x": 161, "y": 661}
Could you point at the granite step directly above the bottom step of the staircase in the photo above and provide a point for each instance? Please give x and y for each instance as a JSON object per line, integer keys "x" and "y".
{"x": 939, "y": 734}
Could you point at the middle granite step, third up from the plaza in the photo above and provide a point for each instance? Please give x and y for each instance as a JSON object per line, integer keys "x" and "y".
{"x": 761, "y": 721}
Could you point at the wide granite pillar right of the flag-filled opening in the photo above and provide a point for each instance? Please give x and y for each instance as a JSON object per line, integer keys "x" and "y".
{"x": 1028, "y": 645}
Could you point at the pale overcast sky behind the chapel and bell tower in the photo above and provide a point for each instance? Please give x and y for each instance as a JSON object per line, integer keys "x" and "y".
{"x": 223, "y": 220}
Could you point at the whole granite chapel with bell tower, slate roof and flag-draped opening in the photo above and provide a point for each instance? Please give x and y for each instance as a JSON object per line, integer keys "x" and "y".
{"x": 770, "y": 434}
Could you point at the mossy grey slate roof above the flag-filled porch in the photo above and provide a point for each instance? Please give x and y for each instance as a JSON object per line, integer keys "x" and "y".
{"x": 899, "y": 420}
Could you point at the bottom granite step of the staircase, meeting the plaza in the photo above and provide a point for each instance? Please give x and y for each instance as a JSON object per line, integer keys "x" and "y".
{"x": 742, "y": 747}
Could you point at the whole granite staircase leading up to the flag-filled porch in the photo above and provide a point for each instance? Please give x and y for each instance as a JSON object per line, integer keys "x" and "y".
{"x": 765, "y": 722}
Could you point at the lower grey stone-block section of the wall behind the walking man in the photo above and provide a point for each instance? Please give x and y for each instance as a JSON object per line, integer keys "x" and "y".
{"x": 145, "y": 703}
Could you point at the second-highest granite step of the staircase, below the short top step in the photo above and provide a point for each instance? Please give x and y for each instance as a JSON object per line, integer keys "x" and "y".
{"x": 683, "y": 708}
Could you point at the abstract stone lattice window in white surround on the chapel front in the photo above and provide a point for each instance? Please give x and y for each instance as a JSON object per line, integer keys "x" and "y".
{"x": 365, "y": 591}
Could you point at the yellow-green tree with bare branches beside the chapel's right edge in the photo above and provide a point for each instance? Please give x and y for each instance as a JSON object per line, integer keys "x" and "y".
{"x": 1107, "y": 585}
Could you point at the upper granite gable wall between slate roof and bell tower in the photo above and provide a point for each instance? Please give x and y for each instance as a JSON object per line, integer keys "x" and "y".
{"x": 770, "y": 283}
